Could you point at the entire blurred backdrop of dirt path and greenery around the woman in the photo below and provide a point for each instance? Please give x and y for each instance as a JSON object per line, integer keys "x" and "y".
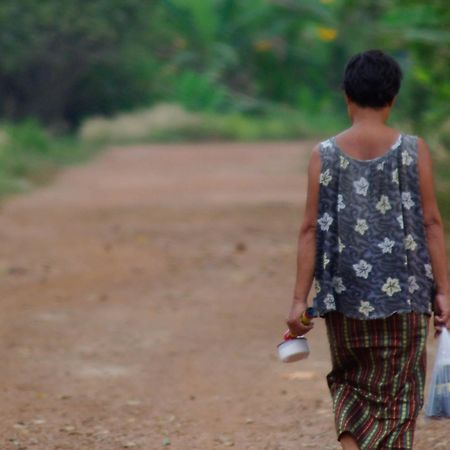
{"x": 144, "y": 291}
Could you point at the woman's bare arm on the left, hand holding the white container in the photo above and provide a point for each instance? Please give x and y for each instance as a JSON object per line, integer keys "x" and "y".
{"x": 306, "y": 254}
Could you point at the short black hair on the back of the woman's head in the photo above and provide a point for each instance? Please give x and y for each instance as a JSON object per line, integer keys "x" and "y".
{"x": 372, "y": 79}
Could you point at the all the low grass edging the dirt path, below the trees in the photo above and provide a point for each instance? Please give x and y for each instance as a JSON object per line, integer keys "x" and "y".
{"x": 29, "y": 156}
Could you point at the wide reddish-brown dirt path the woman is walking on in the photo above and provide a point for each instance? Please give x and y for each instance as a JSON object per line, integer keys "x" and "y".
{"x": 143, "y": 296}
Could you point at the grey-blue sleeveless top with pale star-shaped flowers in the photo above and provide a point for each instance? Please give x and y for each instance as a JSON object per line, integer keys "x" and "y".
{"x": 372, "y": 258}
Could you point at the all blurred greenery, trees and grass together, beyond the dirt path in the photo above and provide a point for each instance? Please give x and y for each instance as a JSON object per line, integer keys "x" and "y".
{"x": 76, "y": 76}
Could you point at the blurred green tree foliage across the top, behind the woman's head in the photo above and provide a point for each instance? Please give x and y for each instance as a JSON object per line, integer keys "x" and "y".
{"x": 62, "y": 61}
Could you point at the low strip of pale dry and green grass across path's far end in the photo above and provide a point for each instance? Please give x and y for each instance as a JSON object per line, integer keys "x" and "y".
{"x": 171, "y": 123}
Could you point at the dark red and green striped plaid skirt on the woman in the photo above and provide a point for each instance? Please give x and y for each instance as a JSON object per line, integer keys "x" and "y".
{"x": 378, "y": 377}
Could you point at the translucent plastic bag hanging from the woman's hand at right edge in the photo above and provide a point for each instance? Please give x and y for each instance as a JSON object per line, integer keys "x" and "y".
{"x": 439, "y": 394}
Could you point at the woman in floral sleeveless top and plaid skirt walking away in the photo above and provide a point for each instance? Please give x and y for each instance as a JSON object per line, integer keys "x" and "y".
{"x": 372, "y": 241}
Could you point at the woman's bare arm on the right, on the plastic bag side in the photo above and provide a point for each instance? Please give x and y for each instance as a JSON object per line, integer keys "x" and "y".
{"x": 435, "y": 236}
